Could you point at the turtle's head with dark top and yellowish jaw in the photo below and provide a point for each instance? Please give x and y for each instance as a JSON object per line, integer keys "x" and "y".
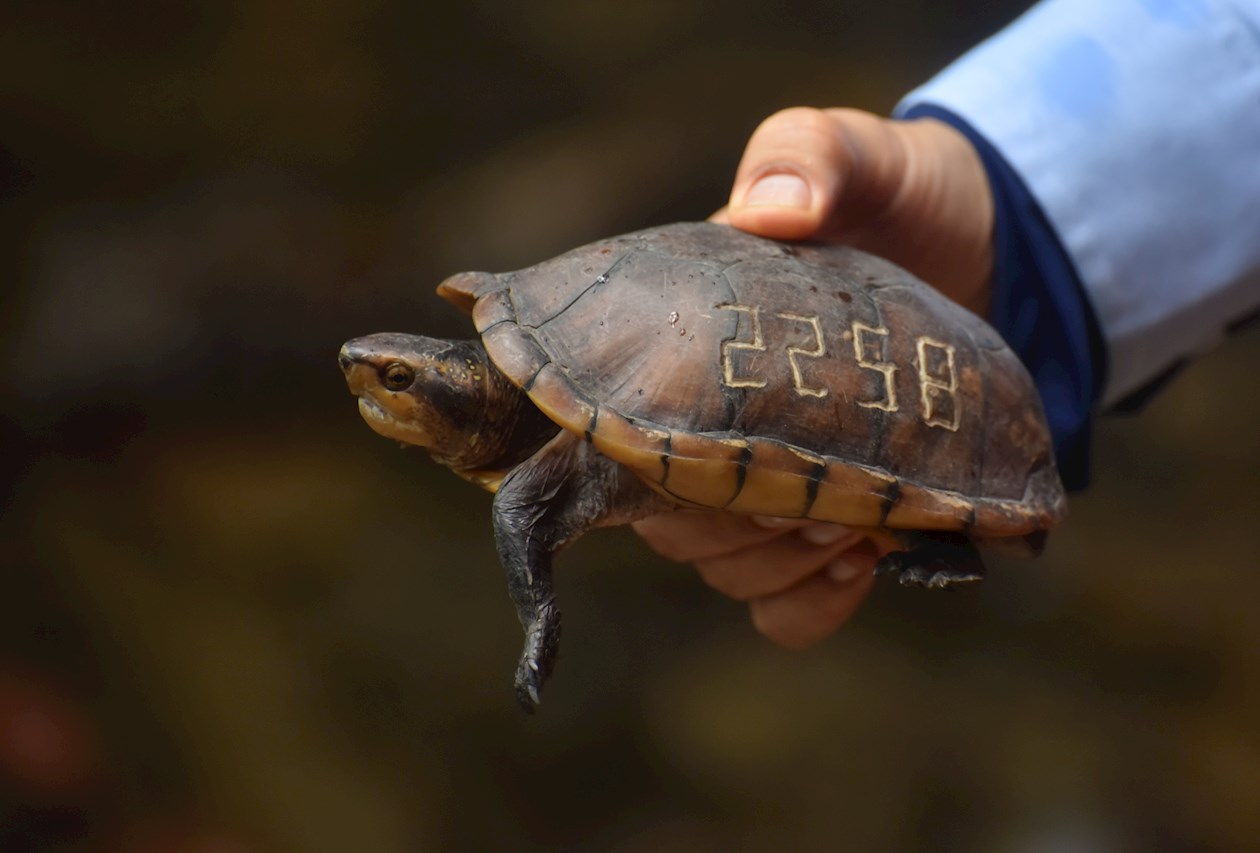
{"x": 427, "y": 392}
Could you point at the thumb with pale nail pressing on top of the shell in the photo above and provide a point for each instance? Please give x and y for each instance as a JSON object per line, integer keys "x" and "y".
{"x": 813, "y": 173}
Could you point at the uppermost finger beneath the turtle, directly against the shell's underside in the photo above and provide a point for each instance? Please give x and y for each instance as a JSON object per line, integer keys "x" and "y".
{"x": 690, "y": 535}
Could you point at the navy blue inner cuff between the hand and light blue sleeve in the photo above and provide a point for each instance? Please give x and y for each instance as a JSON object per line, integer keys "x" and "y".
{"x": 1040, "y": 307}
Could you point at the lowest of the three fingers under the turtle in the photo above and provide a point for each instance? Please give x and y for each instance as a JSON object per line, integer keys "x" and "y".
{"x": 813, "y": 609}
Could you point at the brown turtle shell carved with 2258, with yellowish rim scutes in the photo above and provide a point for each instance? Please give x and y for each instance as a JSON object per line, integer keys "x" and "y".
{"x": 740, "y": 374}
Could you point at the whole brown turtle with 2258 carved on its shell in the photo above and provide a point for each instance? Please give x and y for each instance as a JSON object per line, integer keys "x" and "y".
{"x": 696, "y": 366}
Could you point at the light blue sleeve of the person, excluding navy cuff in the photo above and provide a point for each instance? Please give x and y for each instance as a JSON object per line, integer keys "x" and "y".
{"x": 1136, "y": 124}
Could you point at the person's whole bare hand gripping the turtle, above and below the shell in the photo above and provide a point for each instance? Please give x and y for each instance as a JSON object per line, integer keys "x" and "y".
{"x": 912, "y": 192}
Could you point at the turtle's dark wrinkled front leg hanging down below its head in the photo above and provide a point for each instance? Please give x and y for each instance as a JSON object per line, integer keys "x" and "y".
{"x": 544, "y": 505}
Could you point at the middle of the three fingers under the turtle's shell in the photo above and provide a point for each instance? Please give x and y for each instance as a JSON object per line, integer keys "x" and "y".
{"x": 774, "y": 566}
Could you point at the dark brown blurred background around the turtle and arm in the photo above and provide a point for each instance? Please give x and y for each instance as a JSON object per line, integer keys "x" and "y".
{"x": 235, "y": 619}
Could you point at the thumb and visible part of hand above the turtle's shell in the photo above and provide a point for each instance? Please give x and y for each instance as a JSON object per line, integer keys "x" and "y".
{"x": 913, "y": 192}
